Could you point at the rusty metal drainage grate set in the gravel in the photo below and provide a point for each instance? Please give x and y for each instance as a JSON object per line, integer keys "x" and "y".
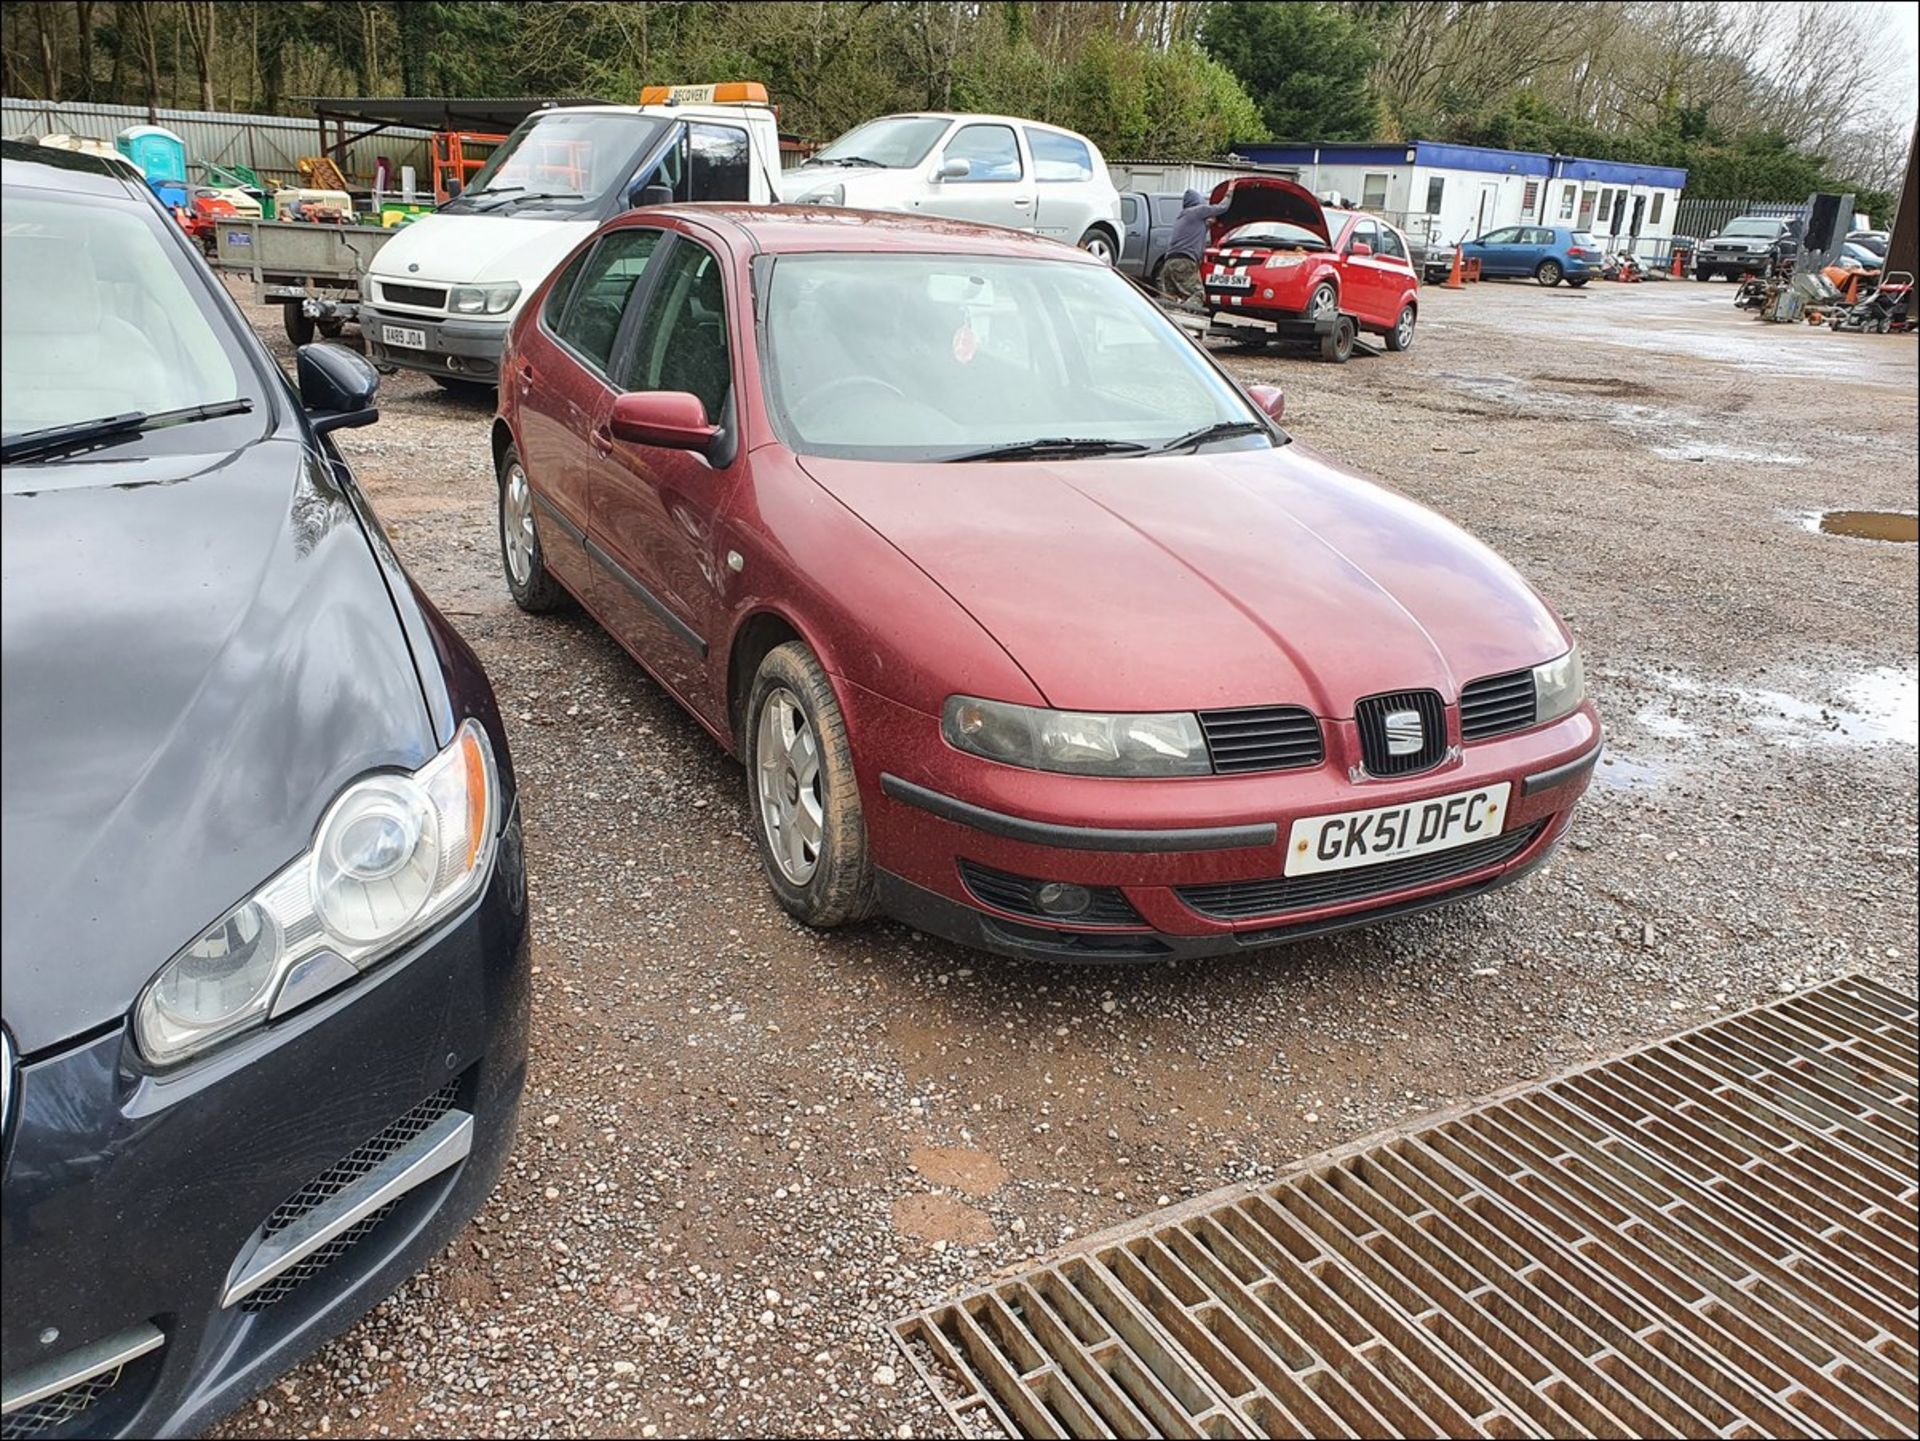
{"x": 1708, "y": 1237}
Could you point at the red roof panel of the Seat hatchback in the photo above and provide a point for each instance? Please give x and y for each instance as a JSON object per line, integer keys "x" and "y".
{"x": 798, "y": 229}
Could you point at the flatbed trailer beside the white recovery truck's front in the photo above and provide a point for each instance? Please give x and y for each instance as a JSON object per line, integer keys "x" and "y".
{"x": 314, "y": 272}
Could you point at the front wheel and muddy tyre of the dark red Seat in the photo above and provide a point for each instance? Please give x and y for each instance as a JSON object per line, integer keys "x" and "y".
{"x": 802, "y": 793}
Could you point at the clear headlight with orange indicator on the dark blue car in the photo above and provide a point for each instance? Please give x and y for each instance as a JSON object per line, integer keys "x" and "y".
{"x": 393, "y": 857}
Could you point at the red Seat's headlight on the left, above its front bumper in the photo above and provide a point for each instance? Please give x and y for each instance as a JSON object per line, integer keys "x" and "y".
{"x": 1080, "y": 744}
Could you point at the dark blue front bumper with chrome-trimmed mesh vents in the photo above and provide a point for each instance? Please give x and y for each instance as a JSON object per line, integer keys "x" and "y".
{"x": 143, "y": 1206}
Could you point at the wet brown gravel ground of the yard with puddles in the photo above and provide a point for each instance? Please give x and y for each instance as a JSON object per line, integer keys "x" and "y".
{"x": 746, "y": 1148}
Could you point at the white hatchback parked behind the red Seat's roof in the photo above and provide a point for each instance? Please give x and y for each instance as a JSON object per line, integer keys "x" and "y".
{"x": 972, "y": 168}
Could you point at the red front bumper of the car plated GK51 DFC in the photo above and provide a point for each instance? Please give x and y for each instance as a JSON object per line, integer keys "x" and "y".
{"x": 1186, "y": 866}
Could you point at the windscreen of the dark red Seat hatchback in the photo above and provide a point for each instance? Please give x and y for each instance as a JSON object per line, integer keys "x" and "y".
{"x": 928, "y": 358}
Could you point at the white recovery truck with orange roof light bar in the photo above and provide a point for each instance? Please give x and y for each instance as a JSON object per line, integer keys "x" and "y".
{"x": 444, "y": 291}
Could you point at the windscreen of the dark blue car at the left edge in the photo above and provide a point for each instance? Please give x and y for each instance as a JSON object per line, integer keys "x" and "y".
{"x": 99, "y": 318}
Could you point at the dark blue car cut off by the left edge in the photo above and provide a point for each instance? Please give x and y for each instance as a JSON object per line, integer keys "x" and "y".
{"x": 264, "y": 968}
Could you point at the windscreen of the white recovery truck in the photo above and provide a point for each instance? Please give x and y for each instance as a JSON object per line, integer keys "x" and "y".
{"x": 560, "y": 160}
